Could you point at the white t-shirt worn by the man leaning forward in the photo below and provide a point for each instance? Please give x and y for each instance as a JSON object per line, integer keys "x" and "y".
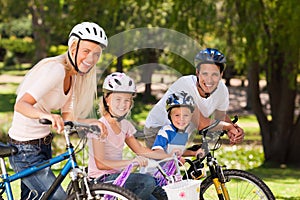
{"x": 218, "y": 100}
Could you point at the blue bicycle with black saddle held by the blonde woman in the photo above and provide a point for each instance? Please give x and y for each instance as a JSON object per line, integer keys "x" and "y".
{"x": 82, "y": 189}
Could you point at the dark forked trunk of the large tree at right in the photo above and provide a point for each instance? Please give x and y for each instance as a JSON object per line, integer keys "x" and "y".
{"x": 280, "y": 137}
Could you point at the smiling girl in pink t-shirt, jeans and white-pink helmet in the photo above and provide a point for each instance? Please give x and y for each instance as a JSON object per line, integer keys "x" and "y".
{"x": 105, "y": 156}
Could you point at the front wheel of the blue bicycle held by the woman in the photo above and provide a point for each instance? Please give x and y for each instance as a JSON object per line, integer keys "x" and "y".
{"x": 107, "y": 191}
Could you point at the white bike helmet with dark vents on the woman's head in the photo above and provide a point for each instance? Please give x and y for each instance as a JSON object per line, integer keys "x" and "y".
{"x": 88, "y": 31}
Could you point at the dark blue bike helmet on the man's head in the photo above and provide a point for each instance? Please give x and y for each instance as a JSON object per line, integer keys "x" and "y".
{"x": 210, "y": 55}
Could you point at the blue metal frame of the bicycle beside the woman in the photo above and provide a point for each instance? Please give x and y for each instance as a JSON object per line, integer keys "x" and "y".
{"x": 70, "y": 164}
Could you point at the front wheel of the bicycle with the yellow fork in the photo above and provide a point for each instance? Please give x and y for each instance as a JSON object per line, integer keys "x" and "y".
{"x": 240, "y": 185}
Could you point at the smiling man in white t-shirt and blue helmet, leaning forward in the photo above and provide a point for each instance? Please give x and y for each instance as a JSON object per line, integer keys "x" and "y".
{"x": 210, "y": 94}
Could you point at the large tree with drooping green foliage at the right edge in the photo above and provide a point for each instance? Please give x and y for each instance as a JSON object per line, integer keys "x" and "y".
{"x": 271, "y": 48}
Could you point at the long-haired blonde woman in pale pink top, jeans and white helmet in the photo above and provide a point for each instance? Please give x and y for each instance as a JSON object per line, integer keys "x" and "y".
{"x": 66, "y": 83}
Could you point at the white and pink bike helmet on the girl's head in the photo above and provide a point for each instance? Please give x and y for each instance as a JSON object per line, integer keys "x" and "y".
{"x": 119, "y": 82}
